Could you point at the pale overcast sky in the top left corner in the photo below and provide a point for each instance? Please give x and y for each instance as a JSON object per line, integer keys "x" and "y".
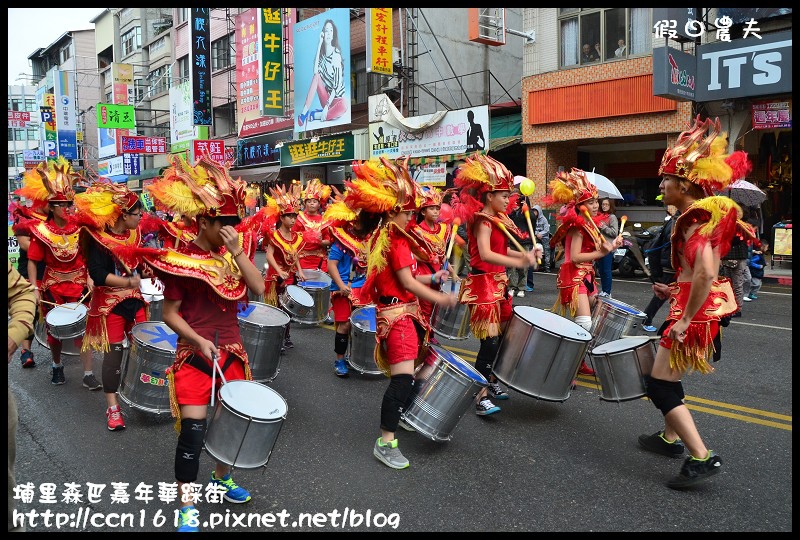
{"x": 32, "y": 28}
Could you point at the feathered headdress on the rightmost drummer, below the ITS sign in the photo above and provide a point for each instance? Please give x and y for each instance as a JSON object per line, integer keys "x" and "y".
{"x": 699, "y": 156}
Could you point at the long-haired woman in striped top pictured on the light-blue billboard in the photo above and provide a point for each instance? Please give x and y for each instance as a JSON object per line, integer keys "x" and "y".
{"x": 328, "y": 80}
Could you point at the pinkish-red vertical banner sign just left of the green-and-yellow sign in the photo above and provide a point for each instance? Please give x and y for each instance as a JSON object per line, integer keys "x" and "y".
{"x": 247, "y": 64}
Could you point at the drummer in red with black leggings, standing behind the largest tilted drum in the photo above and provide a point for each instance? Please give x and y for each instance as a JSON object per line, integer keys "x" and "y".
{"x": 485, "y": 197}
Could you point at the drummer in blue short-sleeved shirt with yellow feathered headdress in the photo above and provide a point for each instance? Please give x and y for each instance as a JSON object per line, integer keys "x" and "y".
{"x": 347, "y": 266}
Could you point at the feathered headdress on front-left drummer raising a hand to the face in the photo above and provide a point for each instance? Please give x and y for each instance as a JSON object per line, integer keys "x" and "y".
{"x": 205, "y": 189}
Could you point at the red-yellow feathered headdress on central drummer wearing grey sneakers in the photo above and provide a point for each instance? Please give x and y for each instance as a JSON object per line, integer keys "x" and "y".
{"x": 381, "y": 187}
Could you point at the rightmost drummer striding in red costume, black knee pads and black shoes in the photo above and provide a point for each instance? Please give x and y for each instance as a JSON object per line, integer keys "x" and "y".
{"x": 692, "y": 170}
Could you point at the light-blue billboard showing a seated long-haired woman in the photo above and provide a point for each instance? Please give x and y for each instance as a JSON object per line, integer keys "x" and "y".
{"x": 322, "y": 70}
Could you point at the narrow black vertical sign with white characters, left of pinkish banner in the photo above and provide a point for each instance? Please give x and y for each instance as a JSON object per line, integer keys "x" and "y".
{"x": 200, "y": 74}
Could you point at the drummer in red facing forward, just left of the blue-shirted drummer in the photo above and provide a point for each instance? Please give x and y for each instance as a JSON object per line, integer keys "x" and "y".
{"x": 313, "y": 227}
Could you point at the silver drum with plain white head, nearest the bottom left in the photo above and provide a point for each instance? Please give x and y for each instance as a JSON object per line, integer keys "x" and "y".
{"x": 247, "y": 420}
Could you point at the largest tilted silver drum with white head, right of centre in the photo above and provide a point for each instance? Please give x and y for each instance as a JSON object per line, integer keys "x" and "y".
{"x": 540, "y": 353}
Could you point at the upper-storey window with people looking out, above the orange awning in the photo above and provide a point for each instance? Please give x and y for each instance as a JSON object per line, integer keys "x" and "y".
{"x": 590, "y": 35}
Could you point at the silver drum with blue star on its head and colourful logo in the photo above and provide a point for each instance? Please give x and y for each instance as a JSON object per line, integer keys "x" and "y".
{"x": 143, "y": 382}
